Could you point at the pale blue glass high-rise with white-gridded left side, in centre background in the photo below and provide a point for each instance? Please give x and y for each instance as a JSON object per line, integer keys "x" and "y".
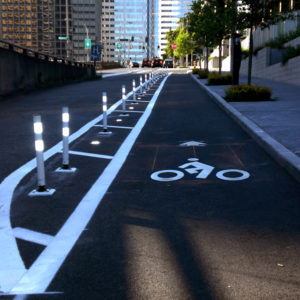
{"x": 126, "y": 26}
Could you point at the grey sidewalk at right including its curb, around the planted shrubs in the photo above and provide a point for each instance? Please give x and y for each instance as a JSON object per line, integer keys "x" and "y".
{"x": 274, "y": 124}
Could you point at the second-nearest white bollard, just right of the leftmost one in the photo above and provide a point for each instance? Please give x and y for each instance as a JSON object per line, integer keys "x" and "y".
{"x": 65, "y": 133}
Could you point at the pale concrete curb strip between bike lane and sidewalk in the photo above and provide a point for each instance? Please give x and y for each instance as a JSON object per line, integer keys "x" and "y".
{"x": 286, "y": 158}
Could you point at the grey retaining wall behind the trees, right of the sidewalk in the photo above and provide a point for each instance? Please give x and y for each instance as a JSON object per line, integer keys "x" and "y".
{"x": 289, "y": 73}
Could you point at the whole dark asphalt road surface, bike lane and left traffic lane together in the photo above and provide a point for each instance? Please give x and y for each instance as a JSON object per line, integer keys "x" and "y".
{"x": 197, "y": 210}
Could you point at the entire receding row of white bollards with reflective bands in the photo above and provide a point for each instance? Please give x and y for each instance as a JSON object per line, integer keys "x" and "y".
{"x": 41, "y": 189}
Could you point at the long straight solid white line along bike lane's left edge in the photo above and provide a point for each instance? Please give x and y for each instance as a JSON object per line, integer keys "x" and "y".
{"x": 43, "y": 270}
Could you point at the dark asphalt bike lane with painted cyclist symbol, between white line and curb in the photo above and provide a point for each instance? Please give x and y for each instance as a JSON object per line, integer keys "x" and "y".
{"x": 210, "y": 234}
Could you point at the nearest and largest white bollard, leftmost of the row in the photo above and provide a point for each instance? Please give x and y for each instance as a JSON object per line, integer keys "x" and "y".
{"x": 39, "y": 149}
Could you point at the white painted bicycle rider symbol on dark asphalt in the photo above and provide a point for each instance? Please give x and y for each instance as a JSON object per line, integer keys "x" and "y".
{"x": 202, "y": 170}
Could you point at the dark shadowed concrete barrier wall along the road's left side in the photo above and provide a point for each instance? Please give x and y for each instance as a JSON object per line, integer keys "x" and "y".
{"x": 23, "y": 69}
